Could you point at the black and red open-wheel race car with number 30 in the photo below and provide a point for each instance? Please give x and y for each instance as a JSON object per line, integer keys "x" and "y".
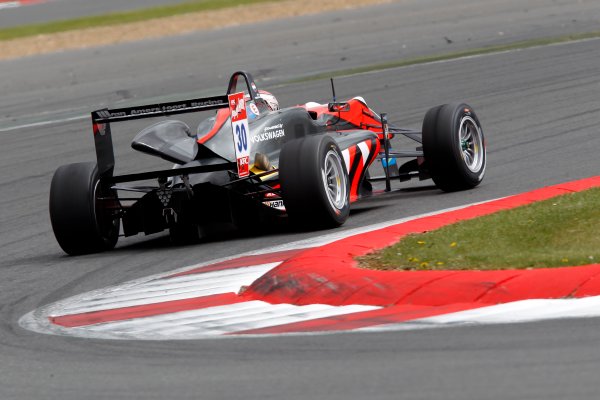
{"x": 253, "y": 162}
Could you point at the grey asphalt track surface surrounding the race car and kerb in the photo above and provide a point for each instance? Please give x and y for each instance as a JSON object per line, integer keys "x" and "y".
{"x": 540, "y": 111}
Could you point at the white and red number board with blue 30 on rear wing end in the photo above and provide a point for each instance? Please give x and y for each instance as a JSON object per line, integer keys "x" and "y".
{"x": 241, "y": 131}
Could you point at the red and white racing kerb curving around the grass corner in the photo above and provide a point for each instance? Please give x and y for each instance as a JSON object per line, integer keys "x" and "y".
{"x": 314, "y": 286}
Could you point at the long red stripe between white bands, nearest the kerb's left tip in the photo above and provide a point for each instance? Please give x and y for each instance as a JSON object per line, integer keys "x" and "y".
{"x": 146, "y": 310}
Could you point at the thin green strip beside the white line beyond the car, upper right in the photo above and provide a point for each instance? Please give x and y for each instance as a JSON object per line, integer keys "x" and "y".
{"x": 450, "y": 56}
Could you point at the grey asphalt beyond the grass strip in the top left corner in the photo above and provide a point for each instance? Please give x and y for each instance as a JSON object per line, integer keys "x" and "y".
{"x": 56, "y": 10}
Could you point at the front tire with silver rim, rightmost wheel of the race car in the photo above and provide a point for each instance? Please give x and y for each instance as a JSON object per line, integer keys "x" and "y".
{"x": 454, "y": 147}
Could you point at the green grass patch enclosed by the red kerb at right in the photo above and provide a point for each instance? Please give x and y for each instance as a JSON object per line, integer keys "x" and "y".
{"x": 562, "y": 231}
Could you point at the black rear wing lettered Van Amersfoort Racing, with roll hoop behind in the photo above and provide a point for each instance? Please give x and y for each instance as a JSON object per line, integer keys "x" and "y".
{"x": 101, "y": 120}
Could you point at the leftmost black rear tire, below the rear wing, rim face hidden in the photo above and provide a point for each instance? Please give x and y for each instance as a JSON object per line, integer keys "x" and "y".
{"x": 81, "y": 211}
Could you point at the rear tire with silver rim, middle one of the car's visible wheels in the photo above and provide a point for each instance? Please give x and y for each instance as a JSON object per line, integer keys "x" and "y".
{"x": 314, "y": 182}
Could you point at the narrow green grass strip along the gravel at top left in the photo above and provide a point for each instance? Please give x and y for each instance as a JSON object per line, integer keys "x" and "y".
{"x": 121, "y": 17}
